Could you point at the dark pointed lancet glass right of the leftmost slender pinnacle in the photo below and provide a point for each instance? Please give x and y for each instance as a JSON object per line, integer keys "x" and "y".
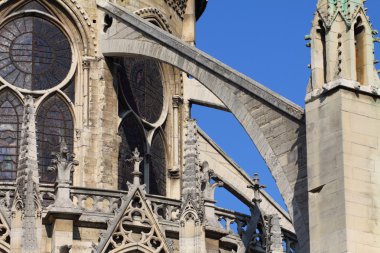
{"x": 54, "y": 121}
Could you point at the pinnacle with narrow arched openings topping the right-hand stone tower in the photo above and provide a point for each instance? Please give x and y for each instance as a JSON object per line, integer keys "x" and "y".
{"x": 342, "y": 47}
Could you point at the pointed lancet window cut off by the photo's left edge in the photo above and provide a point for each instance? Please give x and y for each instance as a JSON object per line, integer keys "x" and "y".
{"x": 11, "y": 111}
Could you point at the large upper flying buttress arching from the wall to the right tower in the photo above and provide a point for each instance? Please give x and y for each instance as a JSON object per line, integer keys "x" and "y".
{"x": 275, "y": 125}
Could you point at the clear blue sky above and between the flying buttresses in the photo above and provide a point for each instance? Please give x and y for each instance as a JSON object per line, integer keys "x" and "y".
{"x": 265, "y": 41}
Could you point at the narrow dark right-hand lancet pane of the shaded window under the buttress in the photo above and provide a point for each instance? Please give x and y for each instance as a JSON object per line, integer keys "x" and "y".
{"x": 157, "y": 170}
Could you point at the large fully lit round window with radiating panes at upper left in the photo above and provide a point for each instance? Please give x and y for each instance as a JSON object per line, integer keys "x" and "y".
{"x": 34, "y": 53}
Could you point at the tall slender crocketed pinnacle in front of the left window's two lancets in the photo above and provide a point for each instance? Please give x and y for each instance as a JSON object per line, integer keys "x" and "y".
{"x": 27, "y": 206}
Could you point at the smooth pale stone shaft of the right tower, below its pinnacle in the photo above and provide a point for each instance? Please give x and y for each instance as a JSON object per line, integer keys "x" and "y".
{"x": 343, "y": 172}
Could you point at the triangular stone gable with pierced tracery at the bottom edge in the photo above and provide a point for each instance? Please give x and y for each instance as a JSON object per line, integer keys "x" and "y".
{"x": 134, "y": 228}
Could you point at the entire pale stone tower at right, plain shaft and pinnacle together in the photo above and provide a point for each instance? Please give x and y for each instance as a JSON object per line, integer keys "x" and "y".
{"x": 342, "y": 122}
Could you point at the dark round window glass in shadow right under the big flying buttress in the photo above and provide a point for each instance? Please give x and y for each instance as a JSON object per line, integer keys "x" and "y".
{"x": 142, "y": 87}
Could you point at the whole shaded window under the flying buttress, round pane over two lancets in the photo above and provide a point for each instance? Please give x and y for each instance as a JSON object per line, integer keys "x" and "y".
{"x": 141, "y": 91}
